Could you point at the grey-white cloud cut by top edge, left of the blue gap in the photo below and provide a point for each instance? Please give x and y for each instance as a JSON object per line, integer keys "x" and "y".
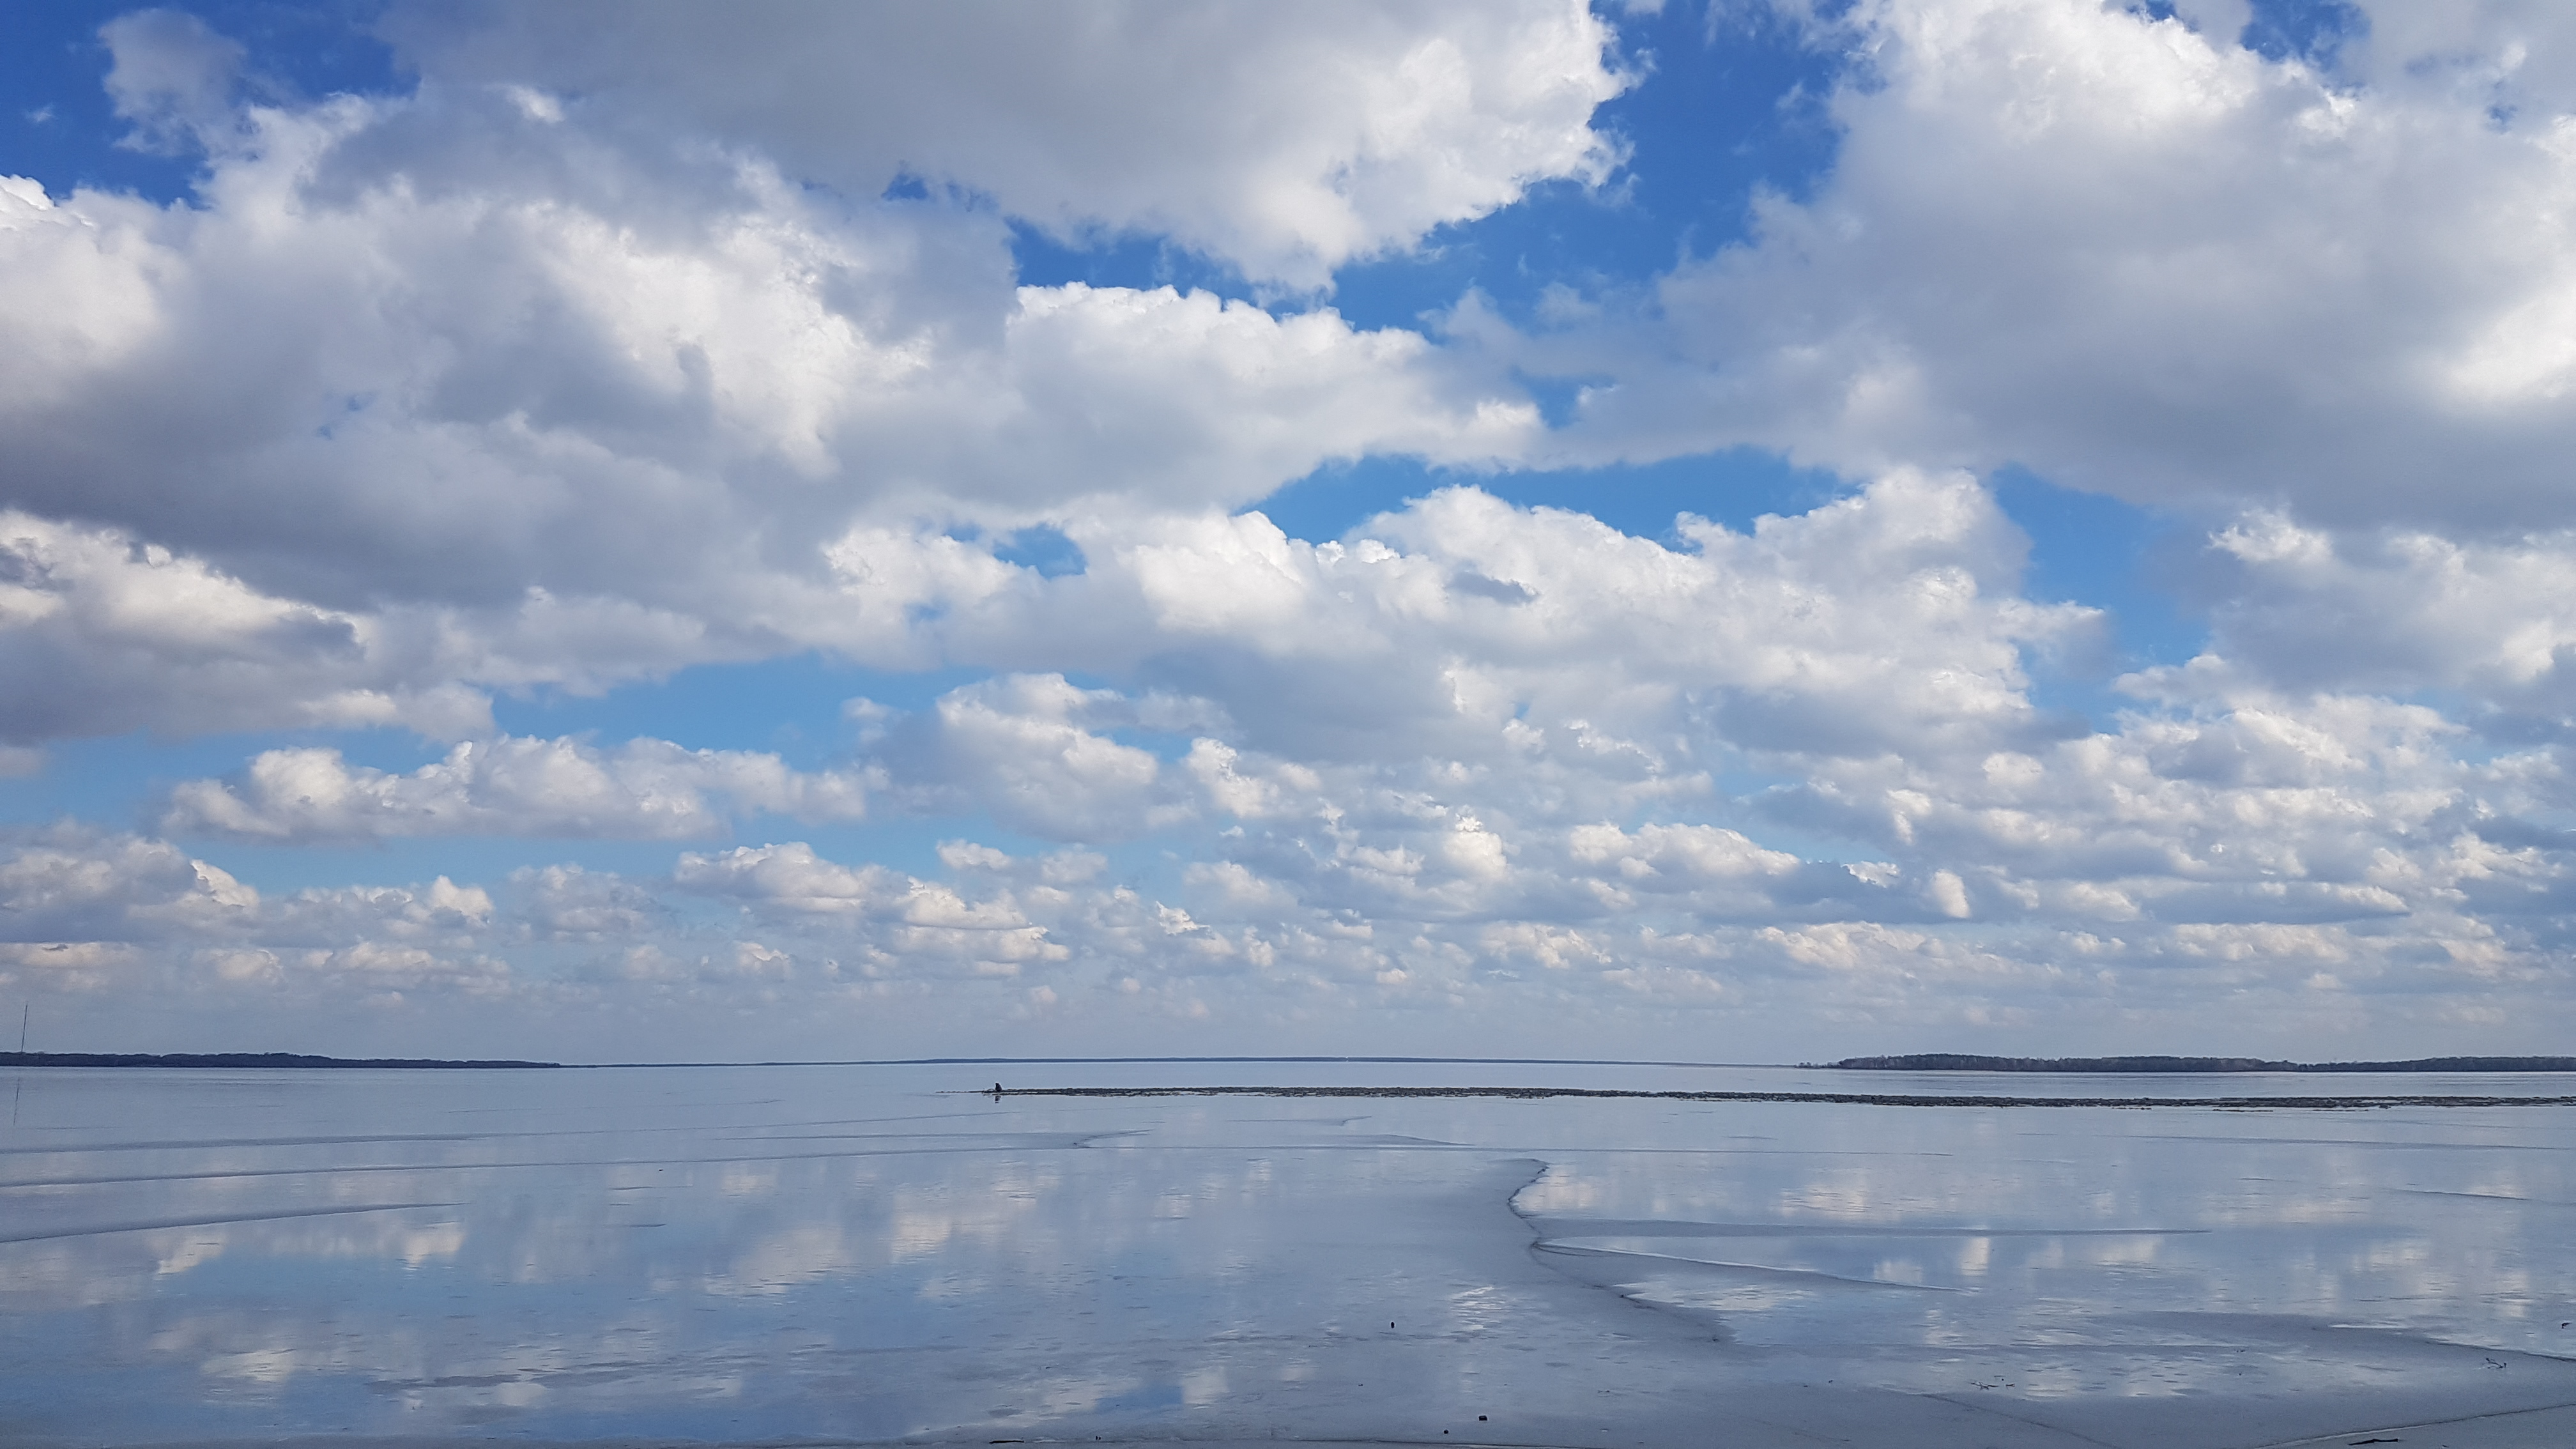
{"x": 1284, "y": 141}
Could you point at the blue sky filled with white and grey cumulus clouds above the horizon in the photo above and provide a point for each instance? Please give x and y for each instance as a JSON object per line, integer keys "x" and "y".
{"x": 1740, "y": 530}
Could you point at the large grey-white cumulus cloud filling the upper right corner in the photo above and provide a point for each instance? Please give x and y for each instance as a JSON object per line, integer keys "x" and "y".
{"x": 2150, "y": 262}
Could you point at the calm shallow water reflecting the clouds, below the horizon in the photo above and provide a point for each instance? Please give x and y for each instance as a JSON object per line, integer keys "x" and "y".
{"x": 759, "y": 1254}
